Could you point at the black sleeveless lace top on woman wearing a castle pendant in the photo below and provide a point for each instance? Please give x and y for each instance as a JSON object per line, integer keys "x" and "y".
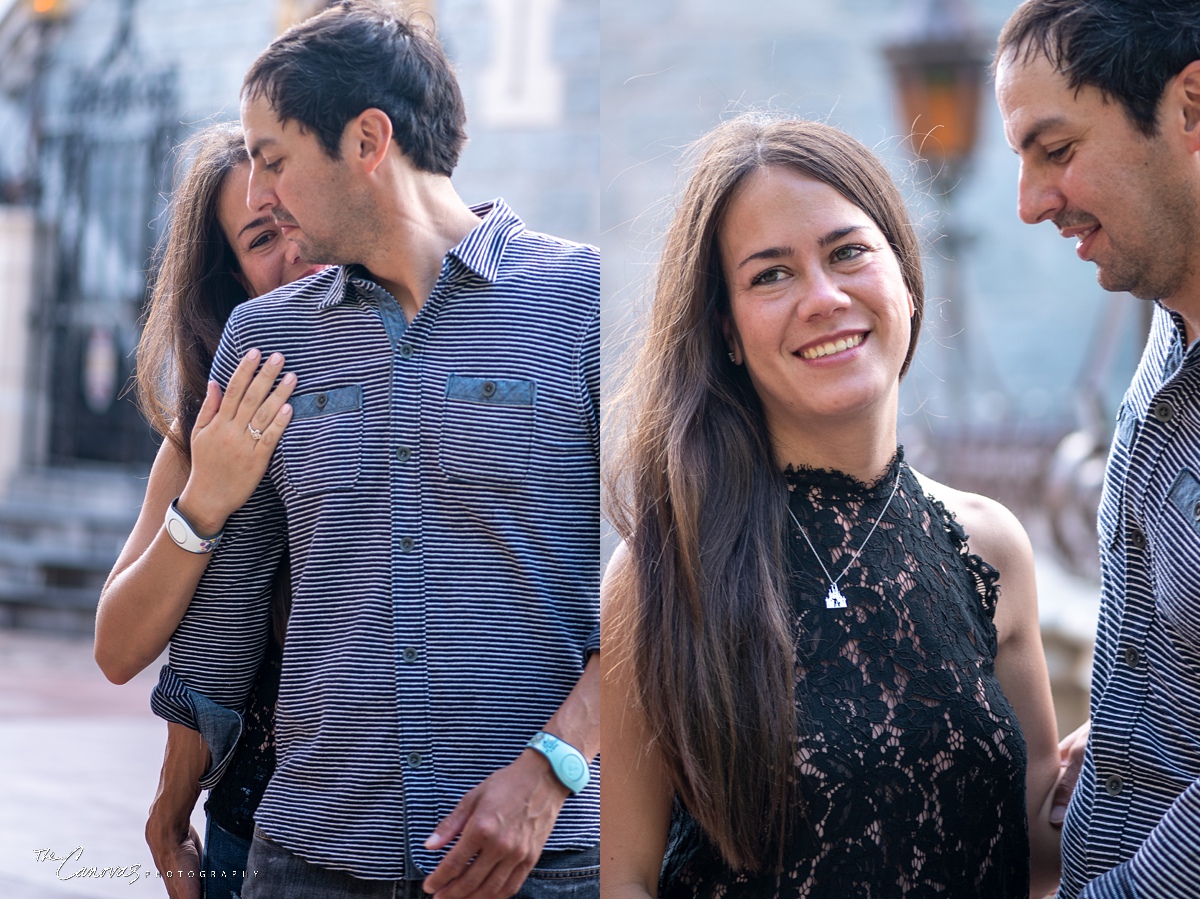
{"x": 910, "y": 762}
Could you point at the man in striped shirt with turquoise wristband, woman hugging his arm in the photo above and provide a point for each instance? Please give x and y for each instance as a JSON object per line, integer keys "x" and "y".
{"x": 439, "y": 490}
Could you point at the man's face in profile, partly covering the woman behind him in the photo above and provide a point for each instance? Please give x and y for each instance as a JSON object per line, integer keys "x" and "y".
{"x": 310, "y": 195}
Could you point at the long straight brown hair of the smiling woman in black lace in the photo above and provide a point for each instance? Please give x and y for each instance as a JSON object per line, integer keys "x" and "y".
{"x": 695, "y": 492}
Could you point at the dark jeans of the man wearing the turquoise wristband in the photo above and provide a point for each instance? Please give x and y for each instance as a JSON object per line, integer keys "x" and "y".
{"x": 277, "y": 873}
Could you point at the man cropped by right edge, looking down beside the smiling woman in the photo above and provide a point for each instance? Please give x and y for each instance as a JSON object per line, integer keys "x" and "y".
{"x": 1101, "y": 101}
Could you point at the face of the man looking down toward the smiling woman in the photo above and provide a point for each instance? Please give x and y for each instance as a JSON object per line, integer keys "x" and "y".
{"x": 1124, "y": 197}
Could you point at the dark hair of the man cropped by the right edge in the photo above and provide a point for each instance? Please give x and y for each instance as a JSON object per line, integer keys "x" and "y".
{"x": 1130, "y": 50}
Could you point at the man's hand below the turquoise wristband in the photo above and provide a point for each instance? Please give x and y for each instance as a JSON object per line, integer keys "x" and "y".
{"x": 502, "y": 825}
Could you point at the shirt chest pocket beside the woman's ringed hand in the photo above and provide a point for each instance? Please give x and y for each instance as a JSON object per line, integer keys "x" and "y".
{"x": 323, "y": 445}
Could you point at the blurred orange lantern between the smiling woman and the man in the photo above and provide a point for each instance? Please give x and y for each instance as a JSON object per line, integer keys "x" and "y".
{"x": 939, "y": 63}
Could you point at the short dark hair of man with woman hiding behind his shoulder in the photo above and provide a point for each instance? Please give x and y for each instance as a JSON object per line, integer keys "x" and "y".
{"x": 359, "y": 56}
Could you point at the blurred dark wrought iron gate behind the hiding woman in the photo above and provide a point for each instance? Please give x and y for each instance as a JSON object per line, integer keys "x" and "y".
{"x": 105, "y": 176}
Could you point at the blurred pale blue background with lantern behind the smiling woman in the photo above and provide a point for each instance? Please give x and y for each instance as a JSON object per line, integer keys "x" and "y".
{"x": 1024, "y": 358}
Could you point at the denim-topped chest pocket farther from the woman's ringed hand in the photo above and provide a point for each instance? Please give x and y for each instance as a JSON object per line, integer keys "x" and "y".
{"x": 488, "y": 428}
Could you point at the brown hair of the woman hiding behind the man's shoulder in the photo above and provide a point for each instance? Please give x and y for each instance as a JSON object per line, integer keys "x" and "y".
{"x": 196, "y": 286}
